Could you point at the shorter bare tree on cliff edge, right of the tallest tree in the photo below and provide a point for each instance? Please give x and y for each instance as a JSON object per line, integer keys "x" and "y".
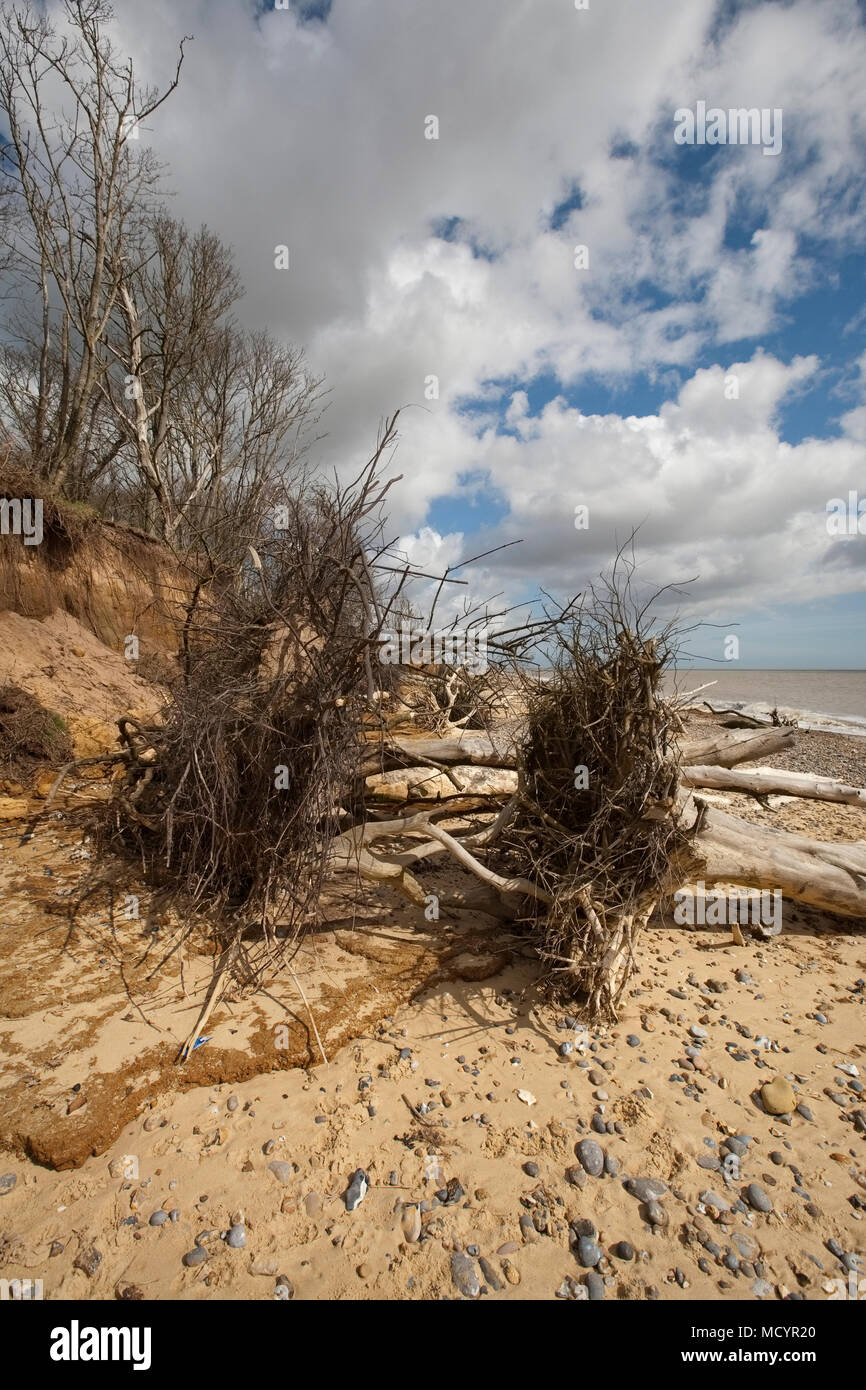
{"x": 218, "y": 416}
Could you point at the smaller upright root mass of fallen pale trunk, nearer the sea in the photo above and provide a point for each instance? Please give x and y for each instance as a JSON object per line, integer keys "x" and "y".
{"x": 598, "y": 782}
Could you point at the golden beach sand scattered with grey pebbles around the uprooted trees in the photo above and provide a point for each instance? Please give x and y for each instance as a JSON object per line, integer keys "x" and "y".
{"x": 446, "y": 1017}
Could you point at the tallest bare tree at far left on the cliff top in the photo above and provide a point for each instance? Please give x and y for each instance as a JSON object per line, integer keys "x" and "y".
{"x": 79, "y": 184}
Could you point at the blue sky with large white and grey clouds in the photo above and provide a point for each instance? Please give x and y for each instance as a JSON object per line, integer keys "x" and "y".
{"x": 493, "y": 224}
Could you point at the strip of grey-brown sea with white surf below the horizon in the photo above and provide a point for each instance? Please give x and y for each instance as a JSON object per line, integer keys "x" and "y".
{"x": 832, "y": 701}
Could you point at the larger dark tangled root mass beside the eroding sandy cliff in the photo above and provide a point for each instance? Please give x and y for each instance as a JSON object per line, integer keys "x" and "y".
{"x": 237, "y": 796}
